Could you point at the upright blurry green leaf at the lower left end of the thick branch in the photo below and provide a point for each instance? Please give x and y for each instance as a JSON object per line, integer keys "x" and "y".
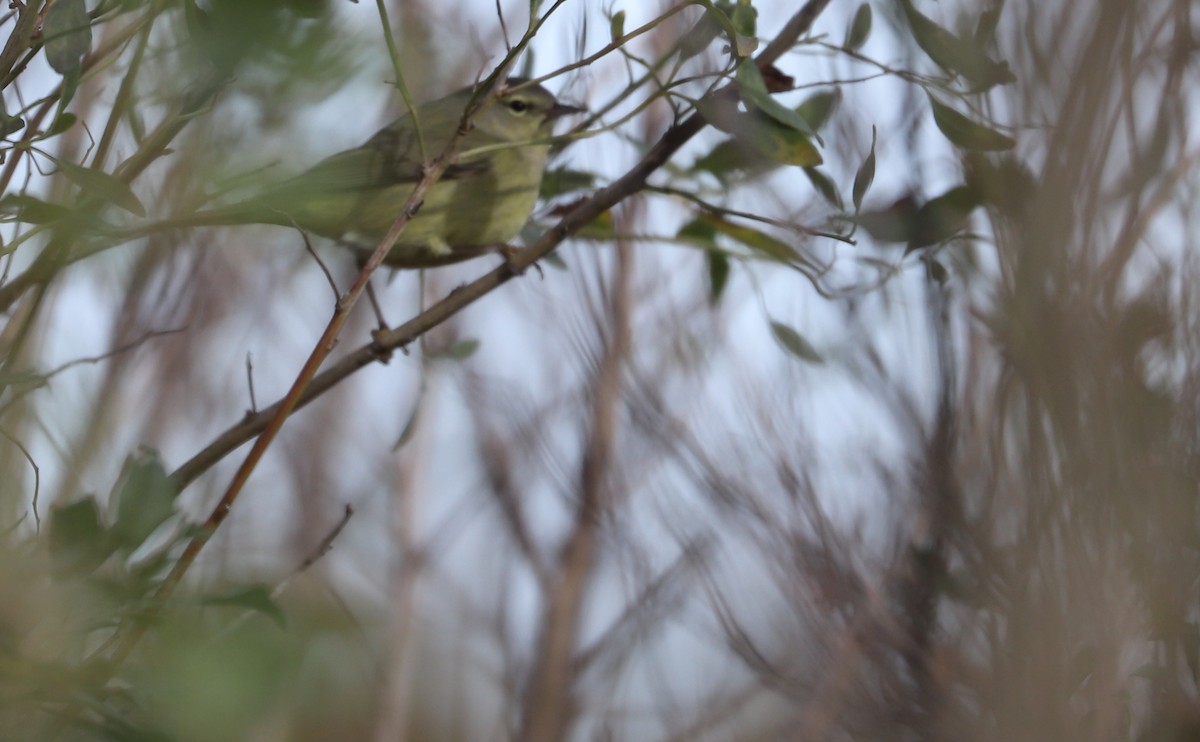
{"x": 145, "y": 498}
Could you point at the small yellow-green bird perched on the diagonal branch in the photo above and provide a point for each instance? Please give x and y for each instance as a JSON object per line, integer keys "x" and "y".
{"x": 477, "y": 207}
